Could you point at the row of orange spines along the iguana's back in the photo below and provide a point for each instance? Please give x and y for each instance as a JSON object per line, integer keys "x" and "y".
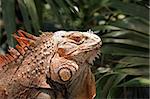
{"x": 25, "y": 40}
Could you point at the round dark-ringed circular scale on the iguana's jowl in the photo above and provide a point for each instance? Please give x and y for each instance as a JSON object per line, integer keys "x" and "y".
{"x": 65, "y": 74}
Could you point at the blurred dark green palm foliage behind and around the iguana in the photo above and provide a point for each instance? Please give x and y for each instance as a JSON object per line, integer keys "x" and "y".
{"x": 123, "y": 69}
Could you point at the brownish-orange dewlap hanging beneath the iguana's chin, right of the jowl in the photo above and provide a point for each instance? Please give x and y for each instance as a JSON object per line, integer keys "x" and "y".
{"x": 83, "y": 85}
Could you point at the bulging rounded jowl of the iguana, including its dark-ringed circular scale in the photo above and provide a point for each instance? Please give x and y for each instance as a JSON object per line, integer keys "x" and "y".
{"x": 62, "y": 70}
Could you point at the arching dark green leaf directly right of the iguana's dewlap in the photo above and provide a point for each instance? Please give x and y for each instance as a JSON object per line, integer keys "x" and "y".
{"x": 106, "y": 82}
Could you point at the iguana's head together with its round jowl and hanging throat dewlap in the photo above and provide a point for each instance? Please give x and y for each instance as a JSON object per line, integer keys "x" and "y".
{"x": 69, "y": 66}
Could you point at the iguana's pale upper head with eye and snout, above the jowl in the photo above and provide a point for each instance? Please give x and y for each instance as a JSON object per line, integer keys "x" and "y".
{"x": 78, "y": 46}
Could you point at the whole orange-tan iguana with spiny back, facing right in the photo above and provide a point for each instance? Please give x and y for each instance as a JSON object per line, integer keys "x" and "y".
{"x": 51, "y": 66}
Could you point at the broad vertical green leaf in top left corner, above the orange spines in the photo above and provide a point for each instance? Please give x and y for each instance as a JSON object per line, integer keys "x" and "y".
{"x": 8, "y": 11}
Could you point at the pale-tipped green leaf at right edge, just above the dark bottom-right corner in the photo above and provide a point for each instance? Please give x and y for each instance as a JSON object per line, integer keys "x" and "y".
{"x": 136, "y": 82}
